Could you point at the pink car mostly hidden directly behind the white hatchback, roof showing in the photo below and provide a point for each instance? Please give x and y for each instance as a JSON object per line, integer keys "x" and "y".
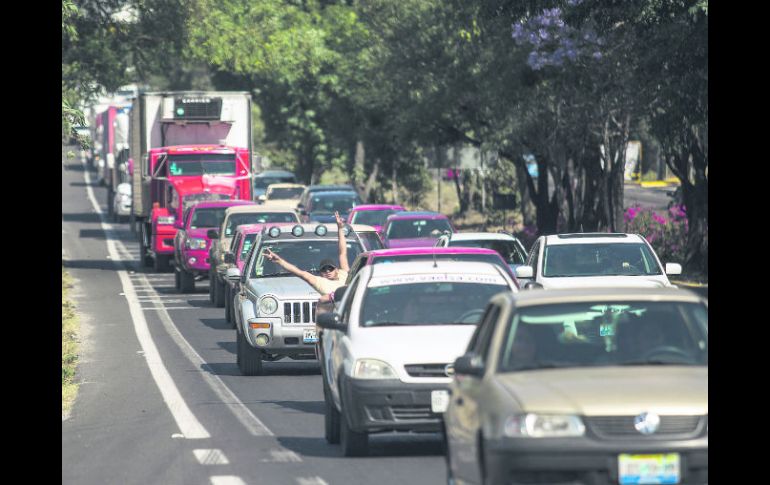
{"x": 384, "y": 256}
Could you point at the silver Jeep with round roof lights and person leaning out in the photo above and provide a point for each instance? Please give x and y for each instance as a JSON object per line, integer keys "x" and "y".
{"x": 275, "y": 311}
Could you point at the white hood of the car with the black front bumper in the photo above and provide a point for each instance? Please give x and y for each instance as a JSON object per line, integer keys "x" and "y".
{"x": 412, "y": 344}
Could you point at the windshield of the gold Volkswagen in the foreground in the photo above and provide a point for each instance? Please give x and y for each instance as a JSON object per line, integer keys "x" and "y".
{"x": 603, "y": 333}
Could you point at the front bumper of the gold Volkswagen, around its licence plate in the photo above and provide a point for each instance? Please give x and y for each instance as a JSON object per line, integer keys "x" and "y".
{"x": 562, "y": 461}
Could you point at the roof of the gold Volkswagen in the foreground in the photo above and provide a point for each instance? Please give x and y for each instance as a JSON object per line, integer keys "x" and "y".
{"x": 576, "y": 295}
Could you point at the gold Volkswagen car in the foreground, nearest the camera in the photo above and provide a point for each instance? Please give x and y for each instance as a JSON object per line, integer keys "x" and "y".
{"x": 592, "y": 386}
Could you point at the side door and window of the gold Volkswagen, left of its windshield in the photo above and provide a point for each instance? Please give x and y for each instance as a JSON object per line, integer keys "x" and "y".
{"x": 463, "y": 421}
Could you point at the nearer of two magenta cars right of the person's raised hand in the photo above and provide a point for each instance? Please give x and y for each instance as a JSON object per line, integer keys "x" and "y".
{"x": 414, "y": 229}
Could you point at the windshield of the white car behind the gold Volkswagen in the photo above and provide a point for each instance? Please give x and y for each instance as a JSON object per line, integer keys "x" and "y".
{"x": 600, "y": 259}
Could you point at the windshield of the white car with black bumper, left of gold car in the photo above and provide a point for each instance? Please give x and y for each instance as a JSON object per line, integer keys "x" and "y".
{"x": 427, "y": 303}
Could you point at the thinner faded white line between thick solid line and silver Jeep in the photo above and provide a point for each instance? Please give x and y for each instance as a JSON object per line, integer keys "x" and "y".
{"x": 252, "y": 423}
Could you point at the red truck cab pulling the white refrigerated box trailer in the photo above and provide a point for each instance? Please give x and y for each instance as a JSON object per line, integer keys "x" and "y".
{"x": 181, "y": 176}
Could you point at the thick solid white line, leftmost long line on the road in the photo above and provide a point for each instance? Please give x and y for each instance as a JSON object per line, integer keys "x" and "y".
{"x": 188, "y": 424}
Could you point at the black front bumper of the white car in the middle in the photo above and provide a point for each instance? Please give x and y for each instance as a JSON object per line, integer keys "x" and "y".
{"x": 389, "y": 405}
